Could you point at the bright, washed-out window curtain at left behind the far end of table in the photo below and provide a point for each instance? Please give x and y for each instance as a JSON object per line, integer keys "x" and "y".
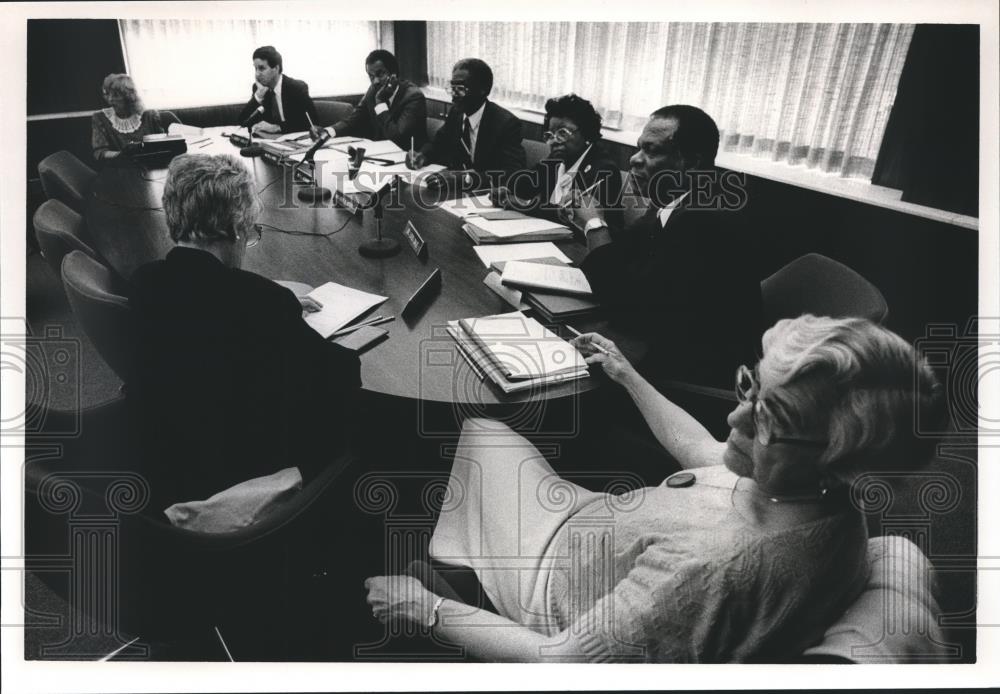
{"x": 179, "y": 63}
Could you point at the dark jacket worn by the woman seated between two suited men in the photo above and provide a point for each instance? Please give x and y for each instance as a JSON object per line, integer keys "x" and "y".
{"x": 536, "y": 185}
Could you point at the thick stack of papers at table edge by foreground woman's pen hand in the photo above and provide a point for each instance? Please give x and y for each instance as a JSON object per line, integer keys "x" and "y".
{"x": 516, "y": 352}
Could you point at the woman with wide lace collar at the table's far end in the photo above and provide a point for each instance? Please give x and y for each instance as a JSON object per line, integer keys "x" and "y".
{"x": 122, "y": 126}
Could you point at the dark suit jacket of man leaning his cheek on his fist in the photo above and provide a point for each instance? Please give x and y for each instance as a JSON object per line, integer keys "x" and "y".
{"x": 406, "y": 118}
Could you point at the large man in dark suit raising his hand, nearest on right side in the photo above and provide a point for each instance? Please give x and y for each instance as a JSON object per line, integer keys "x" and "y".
{"x": 684, "y": 273}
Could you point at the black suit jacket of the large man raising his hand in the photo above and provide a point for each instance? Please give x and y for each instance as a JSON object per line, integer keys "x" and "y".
{"x": 691, "y": 288}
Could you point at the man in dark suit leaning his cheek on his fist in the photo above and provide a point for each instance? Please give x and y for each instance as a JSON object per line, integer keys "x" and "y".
{"x": 391, "y": 109}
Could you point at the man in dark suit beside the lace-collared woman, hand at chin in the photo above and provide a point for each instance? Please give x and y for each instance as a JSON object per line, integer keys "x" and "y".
{"x": 284, "y": 100}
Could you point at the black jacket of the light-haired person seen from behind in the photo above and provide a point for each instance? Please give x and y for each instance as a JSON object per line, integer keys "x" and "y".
{"x": 230, "y": 383}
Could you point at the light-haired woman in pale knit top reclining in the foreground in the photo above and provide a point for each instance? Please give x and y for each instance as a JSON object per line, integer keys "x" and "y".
{"x": 748, "y": 557}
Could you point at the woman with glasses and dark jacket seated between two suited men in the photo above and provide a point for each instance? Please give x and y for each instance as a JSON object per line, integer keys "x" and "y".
{"x": 577, "y": 166}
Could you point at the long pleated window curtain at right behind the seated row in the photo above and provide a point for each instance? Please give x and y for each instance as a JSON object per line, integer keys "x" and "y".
{"x": 812, "y": 94}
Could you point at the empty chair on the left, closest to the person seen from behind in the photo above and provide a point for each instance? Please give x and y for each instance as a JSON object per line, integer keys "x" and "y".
{"x": 102, "y": 311}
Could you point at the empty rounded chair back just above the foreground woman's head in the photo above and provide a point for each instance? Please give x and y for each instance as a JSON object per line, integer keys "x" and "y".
{"x": 816, "y": 284}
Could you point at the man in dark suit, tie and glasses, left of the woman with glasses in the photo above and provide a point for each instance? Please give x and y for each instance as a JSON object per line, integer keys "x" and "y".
{"x": 478, "y": 137}
